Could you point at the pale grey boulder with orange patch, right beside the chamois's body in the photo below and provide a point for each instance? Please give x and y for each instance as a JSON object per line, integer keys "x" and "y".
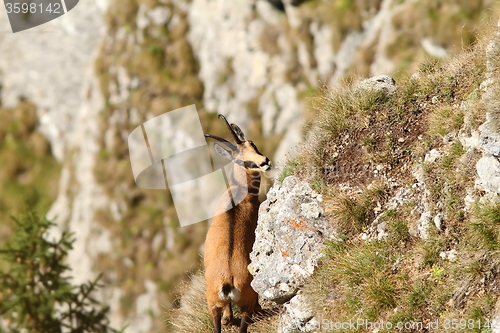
{"x": 289, "y": 241}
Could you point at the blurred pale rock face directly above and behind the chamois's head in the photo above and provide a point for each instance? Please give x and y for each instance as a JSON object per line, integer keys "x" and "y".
{"x": 236, "y": 70}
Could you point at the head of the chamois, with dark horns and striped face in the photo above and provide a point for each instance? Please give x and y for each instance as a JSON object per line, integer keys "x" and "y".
{"x": 243, "y": 152}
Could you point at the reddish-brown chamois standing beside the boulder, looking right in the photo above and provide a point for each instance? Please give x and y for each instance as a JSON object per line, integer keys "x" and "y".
{"x": 232, "y": 232}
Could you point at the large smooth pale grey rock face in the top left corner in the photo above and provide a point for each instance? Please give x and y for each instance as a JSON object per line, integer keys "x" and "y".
{"x": 51, "y": 66}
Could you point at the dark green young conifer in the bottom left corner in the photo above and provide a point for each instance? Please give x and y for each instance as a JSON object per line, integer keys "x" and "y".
{"x": 35, "y": 293}
